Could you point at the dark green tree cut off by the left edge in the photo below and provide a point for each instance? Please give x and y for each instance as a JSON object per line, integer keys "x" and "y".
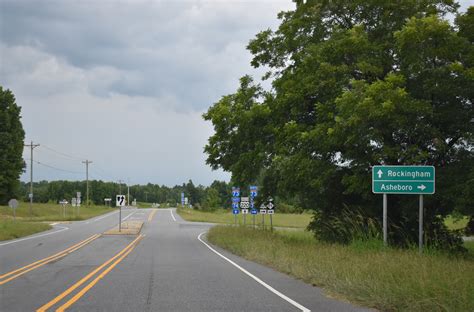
{"x": 12, "y": 138}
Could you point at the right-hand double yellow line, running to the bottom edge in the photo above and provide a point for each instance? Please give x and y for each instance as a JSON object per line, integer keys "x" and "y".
{"x": 106, "y": 267}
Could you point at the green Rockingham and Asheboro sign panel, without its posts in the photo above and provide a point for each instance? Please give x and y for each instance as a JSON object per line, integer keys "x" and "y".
{"x": 403, "y": 179}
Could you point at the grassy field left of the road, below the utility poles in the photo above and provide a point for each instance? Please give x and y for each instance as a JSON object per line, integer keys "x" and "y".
{"x": 37, "y": 222}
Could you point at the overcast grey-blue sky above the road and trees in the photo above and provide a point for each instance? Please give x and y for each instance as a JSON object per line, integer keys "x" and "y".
{"x": 124, "y": 83}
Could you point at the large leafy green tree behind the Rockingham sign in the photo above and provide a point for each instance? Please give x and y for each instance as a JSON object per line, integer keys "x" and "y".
{"x": 355, "y": 84}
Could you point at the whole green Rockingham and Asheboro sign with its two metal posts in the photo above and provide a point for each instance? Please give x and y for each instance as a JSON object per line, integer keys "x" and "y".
{"x": 411, "y": 180}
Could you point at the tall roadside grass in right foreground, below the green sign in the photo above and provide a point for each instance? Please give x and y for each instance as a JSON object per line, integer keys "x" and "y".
{"x": 365, "y": 273}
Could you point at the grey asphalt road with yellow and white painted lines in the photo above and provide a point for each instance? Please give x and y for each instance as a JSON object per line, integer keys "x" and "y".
{"x": 168, "y": 267}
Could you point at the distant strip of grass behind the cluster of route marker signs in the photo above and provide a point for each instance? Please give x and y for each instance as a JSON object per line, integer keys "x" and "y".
{"x": 226, "y": 217}
